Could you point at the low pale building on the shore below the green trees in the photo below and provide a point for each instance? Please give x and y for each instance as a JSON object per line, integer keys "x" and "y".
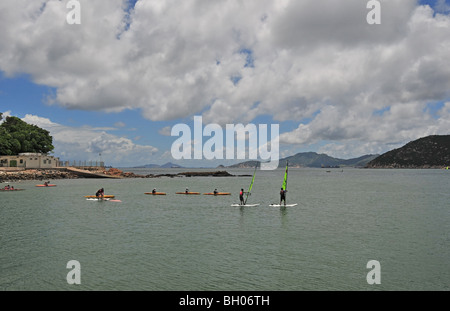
{"x": 29, "y": 160}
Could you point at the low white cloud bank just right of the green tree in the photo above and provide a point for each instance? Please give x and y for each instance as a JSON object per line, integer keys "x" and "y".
{"x": 87, "y": 143}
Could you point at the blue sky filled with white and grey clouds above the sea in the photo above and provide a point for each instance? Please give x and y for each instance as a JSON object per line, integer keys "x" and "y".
{"x": 113, "y": 86}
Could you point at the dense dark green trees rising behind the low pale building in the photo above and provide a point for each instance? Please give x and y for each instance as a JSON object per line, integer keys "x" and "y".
{"x": 17, "y": 136}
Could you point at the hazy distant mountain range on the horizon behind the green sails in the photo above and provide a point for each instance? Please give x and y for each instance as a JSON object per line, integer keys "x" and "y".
{"x": 313, "y": 159}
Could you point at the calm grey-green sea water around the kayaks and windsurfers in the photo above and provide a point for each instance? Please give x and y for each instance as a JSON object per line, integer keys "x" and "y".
{"x": 344, "y": 219}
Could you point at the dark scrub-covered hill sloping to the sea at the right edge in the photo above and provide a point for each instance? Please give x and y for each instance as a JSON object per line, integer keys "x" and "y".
{"x": 426, "y": 152}
